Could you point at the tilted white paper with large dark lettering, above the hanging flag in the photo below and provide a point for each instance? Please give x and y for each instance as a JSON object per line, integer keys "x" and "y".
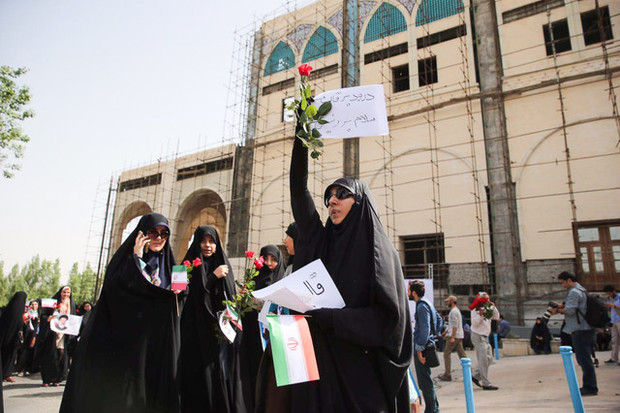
{"x": 307, "y": 288}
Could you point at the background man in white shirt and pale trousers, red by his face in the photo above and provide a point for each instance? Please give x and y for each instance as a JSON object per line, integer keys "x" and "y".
{"x": 480, "y": 330}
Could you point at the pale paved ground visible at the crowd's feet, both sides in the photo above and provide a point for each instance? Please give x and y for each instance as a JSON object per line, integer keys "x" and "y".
{"x": 535, "y": 384}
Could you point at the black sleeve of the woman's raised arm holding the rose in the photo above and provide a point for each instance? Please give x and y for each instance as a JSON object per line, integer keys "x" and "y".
{"x": 304, "y": 210}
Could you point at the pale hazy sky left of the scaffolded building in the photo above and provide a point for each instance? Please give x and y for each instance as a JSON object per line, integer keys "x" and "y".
{"x": 115, "y": 84}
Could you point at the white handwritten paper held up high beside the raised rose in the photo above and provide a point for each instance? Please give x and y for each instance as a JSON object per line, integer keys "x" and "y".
{"x": 356, "y": 112}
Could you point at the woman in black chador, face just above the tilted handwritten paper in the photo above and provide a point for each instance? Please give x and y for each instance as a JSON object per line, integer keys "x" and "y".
{"x": 249, "y": 345}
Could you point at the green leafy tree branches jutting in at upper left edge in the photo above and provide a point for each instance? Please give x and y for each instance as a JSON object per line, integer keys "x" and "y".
{"x": 13, "y": 98}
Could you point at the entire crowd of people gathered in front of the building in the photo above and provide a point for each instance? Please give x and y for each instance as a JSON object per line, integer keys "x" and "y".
{"x": 146, "y": 347}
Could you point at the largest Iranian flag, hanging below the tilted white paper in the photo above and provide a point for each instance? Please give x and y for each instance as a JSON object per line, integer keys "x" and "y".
{"x": 293, "y": 353}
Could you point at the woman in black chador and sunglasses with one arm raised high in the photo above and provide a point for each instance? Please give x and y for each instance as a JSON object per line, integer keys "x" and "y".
{"x": 363, "y": 350}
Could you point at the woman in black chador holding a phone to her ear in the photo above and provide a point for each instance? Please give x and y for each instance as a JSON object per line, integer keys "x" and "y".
{"x": 126, "y": 360}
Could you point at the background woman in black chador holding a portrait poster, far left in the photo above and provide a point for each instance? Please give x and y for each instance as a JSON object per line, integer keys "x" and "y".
{"x": 51, "y": 346}
